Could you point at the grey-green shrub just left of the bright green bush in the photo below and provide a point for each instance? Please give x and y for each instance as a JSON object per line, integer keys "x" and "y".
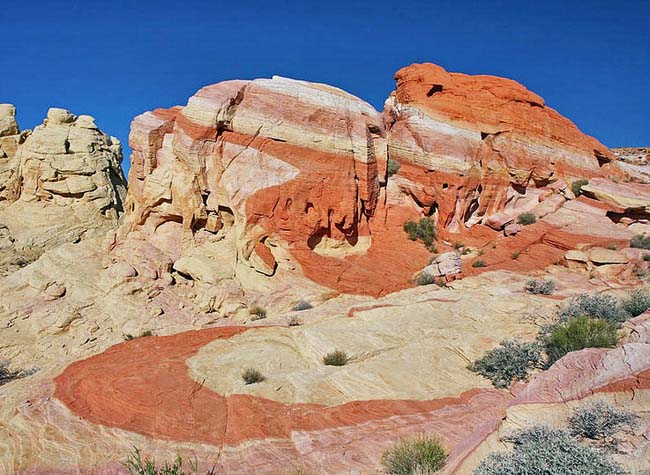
{"x": 510, "y": 361}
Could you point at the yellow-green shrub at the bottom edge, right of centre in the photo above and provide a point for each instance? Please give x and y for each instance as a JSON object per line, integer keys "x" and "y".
{"x": 422, "y": 455}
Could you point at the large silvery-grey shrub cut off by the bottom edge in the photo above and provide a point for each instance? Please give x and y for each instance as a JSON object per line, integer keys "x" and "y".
{"x": 541, "y": 450}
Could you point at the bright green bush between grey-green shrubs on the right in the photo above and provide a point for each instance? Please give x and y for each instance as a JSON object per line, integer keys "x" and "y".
{"x": 577, "y": 334}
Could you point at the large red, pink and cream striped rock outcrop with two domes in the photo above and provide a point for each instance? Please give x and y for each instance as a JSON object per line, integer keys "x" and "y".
{"x": 298, "y": 166}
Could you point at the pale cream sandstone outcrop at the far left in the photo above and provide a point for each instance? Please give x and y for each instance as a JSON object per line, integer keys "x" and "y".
{"x": 58, "y": 183}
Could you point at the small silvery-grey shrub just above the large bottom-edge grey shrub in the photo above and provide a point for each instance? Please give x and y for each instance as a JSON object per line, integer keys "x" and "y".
{"x": 599, "y": 420}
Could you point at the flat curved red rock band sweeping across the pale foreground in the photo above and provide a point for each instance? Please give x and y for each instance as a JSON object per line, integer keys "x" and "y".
{"x": 143, "y": 386}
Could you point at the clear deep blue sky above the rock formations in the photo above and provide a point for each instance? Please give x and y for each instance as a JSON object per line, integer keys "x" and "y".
{"x": 589, "y": 59}
